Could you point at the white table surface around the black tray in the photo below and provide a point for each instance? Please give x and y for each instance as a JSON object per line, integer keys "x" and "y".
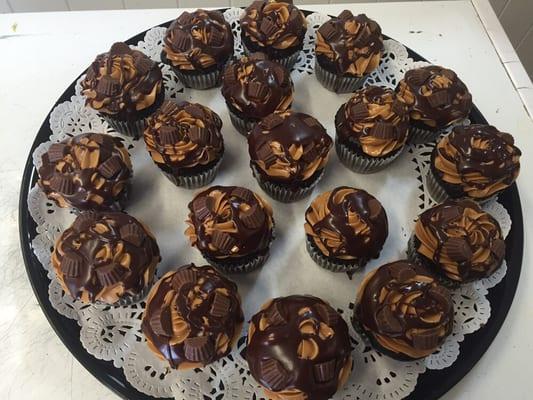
{"x": 47, "y": 51}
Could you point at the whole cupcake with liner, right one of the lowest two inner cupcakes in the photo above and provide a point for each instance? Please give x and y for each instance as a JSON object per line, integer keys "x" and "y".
{"x": 345, "y": 228}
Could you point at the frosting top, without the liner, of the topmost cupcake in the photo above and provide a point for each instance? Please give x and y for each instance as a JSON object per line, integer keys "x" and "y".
{"x": 273, "y": 24}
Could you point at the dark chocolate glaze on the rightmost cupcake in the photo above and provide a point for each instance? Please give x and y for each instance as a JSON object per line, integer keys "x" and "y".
{"x": 497, "y": 160}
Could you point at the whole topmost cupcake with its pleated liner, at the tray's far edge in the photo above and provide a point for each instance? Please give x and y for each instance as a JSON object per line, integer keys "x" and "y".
{"x": 276, "y": 28}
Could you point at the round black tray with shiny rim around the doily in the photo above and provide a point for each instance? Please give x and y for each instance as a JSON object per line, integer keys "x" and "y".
{"x": 431, "y": 384}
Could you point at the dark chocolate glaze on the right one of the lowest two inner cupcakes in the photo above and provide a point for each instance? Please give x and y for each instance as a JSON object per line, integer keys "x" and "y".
{"x": 363, "y": 246}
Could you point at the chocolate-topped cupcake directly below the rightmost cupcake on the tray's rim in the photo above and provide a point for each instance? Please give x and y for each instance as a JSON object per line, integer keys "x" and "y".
{"x": 459, "y": 241}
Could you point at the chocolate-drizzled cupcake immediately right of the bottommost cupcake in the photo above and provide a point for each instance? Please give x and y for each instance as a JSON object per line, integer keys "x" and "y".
{"x": 403, "y": 310}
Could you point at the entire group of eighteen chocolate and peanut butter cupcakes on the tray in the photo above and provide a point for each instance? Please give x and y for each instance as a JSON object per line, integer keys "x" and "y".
{"x": 297, "y": 346}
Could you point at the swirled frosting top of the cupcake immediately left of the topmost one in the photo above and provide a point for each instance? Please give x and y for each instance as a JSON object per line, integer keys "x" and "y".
{"x": 198, "y": 41}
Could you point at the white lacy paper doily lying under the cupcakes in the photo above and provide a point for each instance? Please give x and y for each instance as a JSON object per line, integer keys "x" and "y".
{"x": 113, "y": 334}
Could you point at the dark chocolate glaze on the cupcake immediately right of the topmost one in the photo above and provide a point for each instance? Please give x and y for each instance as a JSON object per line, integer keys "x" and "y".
{"x": 347, "y": 45}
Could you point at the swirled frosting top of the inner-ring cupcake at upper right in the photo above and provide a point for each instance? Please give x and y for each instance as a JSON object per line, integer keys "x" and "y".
{"x": 373, "y": 120}
